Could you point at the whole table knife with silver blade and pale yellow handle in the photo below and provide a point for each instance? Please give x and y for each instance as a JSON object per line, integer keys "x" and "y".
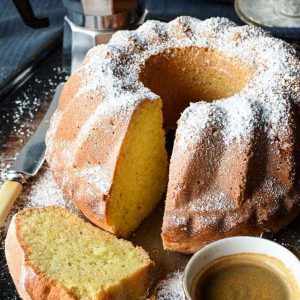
{"x": 27, "y": 163}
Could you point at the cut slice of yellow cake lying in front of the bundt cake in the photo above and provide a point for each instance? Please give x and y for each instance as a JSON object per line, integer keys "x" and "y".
{"x": 53, "y": 254}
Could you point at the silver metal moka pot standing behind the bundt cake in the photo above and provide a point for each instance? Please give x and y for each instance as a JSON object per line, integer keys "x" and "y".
{"x": 92, "y": 22}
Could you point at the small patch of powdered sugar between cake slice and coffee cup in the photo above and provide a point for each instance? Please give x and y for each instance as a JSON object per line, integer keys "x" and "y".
{"x": 170, "y": 288}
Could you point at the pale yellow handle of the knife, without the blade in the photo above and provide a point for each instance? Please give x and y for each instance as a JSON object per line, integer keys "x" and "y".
{"x": 9, "y": 192}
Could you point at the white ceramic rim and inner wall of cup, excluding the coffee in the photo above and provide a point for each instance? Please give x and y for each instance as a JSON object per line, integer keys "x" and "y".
{"x": 238, "y": 245}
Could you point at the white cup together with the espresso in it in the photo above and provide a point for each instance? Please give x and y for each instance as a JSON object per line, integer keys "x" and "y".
{"x": 242, "y": 268}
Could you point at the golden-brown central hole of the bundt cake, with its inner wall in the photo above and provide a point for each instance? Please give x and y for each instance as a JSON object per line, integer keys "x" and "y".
{"x": 184, "y": 75}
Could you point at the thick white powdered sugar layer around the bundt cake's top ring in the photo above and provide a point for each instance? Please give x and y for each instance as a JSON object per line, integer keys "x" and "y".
{"x": 116, "y": 68}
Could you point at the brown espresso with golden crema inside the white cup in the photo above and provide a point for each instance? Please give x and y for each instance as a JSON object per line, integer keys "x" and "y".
{"x": 245, "y": 277}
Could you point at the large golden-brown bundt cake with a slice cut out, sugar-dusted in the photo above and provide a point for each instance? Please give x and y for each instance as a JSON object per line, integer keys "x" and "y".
{"x": 233, "y": 167}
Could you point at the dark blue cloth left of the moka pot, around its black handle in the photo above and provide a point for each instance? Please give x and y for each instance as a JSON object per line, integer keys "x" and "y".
{"x": 19, "y": 44}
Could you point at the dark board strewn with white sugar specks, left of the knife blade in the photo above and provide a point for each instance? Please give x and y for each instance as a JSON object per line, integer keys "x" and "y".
{"x": 23, "y": 109}
